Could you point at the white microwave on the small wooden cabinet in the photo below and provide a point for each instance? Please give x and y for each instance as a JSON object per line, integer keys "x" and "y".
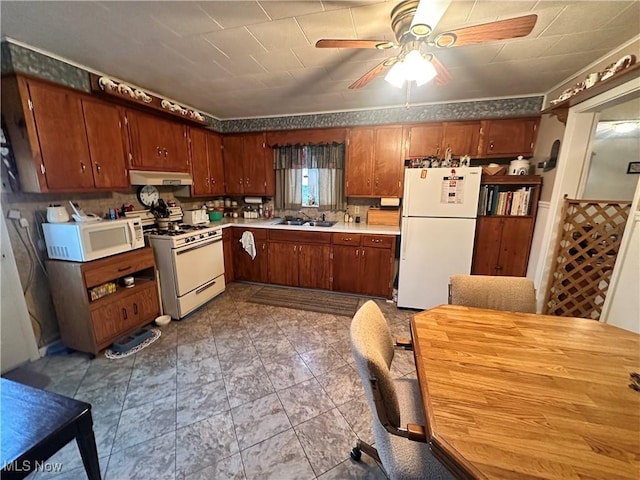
{"x": 86, "y": 241}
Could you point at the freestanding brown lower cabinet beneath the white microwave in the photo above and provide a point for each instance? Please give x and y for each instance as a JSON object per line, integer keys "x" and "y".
{"x": 91, "y": 325}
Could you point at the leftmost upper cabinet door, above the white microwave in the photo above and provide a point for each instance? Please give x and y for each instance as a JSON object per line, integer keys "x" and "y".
{"x": 62, "y": 137}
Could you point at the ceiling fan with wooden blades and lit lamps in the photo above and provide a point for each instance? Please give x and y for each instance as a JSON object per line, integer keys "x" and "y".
{"x": 414, "y": 22}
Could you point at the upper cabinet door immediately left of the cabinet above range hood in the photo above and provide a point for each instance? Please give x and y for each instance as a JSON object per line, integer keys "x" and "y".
{"x": 105, "y": 137}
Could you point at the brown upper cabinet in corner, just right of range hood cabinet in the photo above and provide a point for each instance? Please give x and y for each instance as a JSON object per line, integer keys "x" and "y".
{"x": 206, "y": 163}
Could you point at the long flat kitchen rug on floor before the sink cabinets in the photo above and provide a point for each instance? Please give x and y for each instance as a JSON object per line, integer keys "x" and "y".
{"x": 333, "y": 303}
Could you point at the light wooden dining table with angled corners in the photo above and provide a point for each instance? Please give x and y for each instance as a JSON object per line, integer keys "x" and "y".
{"x": 522, "y": 396}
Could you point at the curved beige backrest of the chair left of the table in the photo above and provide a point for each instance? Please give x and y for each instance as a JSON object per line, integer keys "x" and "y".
{"x": 372, "y": 348}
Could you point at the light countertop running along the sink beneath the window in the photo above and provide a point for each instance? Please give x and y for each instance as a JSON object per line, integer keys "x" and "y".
{"x": 340, "y": 227}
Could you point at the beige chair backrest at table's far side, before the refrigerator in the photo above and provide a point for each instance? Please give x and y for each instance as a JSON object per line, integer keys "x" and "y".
{"x": 514, "y": 294}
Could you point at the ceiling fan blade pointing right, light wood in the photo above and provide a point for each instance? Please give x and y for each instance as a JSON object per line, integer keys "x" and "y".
{"x": 488, "y": 32}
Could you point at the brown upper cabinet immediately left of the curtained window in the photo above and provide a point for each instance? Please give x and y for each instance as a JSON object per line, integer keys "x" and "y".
{"x": 248, "y": 166}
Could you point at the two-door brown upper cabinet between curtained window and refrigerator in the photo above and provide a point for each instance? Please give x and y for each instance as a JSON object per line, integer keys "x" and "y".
{"x": 374, "y": 162}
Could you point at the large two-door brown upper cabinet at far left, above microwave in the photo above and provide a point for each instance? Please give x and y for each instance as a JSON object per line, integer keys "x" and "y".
{"x": 63, "y": 140}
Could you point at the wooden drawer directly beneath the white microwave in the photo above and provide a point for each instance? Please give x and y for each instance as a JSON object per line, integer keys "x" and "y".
{"x": 111, "y": 268}
